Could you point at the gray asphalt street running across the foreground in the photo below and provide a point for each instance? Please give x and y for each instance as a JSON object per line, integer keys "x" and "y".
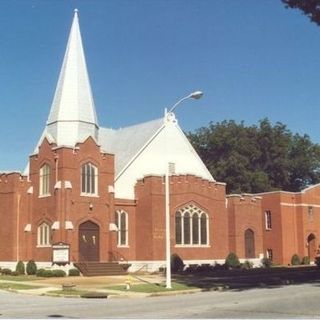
{"x": 292, "y": 301}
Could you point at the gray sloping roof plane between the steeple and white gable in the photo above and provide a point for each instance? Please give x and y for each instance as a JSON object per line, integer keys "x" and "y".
{"x": 125, "y": 143}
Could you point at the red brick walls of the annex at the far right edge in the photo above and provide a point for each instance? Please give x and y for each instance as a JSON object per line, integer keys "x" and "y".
{"x": 291, "y": 225}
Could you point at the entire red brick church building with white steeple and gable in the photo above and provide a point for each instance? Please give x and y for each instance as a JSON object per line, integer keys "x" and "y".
{"x": 91, "y": 193}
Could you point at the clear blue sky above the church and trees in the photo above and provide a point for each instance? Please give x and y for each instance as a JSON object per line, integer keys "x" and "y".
{"x": 252, "y": 59}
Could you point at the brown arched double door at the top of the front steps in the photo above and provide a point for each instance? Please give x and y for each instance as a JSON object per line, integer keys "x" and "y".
{"x": 89, "y": 241}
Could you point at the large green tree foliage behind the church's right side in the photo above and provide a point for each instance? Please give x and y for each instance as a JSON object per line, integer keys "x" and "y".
{"x": 257, "y": 158}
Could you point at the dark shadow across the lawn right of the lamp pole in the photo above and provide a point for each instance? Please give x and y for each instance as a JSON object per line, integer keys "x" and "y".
{"x": 239, "y": 280}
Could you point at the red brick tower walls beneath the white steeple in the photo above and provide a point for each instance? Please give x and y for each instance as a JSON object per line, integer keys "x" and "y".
{"x": 66, "y": 204}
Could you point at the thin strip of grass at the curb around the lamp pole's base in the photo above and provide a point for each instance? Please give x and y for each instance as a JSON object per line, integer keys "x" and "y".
{"x": 152, "y": 287}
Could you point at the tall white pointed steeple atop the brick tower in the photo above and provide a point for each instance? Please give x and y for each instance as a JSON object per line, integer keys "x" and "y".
{"x": 72, "y": 116}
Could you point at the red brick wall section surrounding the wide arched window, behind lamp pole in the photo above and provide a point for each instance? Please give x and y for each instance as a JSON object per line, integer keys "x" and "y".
{"x": 150, "y": 217}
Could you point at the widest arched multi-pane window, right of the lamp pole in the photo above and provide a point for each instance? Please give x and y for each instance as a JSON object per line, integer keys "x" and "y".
{"x": 191, "y": 226}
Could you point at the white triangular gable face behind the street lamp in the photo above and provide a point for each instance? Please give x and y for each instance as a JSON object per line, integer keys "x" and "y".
{"x": 168, "y": 145}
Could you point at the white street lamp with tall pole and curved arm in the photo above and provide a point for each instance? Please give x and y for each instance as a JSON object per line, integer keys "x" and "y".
{"x": 193, "y": 95}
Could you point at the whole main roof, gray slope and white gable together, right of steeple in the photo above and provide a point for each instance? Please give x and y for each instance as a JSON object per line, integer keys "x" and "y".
{"x": 146, "y": 149}
